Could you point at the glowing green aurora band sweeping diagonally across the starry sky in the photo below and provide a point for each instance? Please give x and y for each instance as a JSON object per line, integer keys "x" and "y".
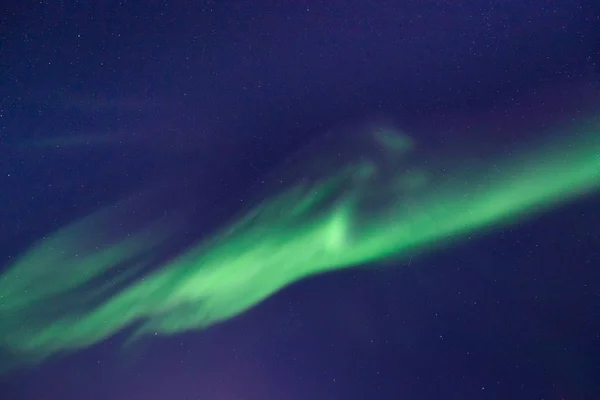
{"x": 351, "y": 201}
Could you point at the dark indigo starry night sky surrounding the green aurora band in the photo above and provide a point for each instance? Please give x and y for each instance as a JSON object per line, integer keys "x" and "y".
{"x": 99, "y": 98}
